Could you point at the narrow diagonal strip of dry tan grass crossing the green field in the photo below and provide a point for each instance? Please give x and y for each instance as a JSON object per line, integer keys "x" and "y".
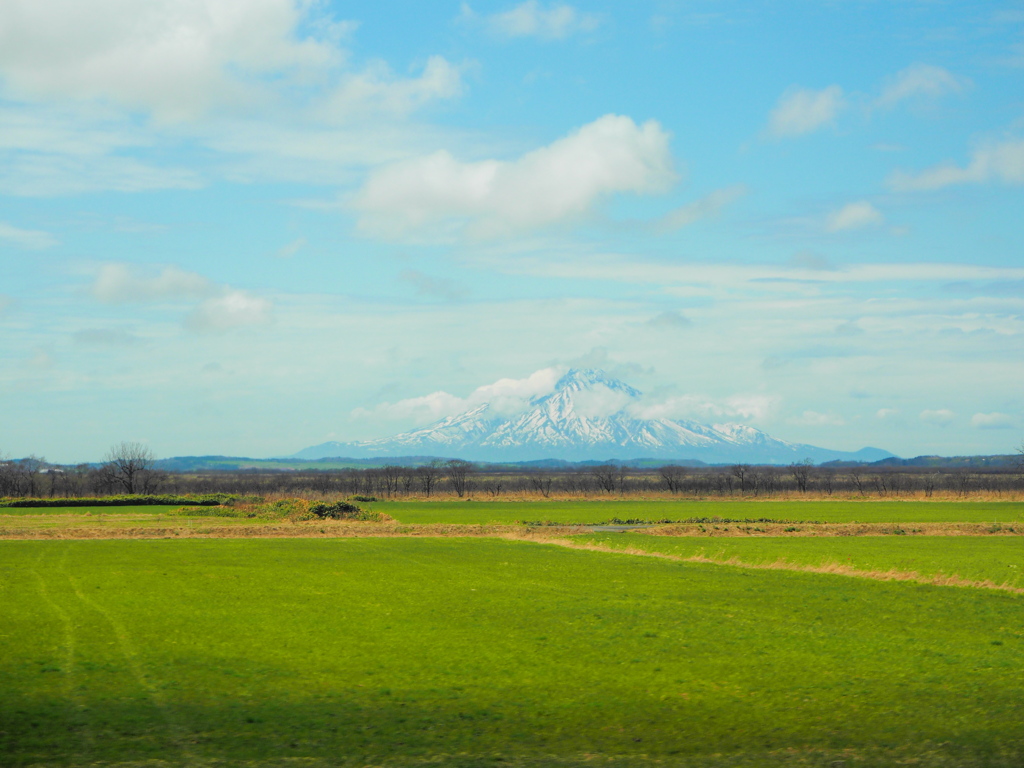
{"x": 835, "y": 569}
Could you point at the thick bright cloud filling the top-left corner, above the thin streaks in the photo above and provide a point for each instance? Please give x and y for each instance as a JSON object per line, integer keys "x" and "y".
{"x": 175, "y": 59}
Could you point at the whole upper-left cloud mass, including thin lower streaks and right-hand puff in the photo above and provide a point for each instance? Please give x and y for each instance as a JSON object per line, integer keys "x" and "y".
{"x": 92, "y": 87}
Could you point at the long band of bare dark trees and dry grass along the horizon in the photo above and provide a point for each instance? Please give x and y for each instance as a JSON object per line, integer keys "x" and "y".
{"x": 132, "y": 468}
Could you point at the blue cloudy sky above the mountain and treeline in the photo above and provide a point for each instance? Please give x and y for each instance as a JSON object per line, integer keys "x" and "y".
{"x": 245, "y": 228}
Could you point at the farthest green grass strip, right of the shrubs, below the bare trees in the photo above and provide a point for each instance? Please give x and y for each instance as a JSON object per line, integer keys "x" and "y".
{"x": 602, "y": 511}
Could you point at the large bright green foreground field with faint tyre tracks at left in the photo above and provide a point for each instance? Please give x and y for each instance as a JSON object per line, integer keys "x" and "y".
{"x": 397, "y": 652}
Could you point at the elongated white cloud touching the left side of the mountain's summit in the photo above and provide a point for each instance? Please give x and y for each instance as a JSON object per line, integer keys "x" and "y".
{"x": 505, "y": 396}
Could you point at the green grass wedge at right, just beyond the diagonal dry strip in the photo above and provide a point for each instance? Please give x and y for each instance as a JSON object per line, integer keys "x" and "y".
{"x": 978, "y": 559}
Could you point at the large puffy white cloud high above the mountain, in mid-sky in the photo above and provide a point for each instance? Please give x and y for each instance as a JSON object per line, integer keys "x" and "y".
{"x": 556, "y": 183}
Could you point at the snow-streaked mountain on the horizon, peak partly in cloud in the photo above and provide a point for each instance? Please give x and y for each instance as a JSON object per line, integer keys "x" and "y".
{"x": 588, "y": 416}
